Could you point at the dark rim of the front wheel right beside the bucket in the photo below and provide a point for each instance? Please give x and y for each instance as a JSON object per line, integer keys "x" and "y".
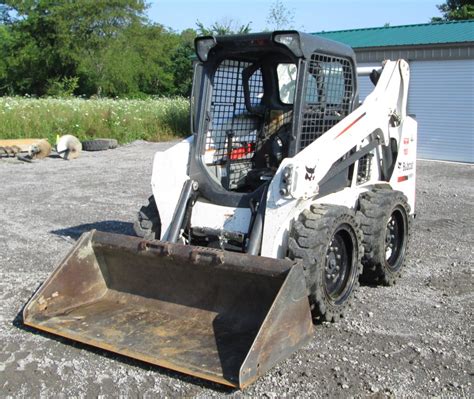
{"x": 339, "y": 268}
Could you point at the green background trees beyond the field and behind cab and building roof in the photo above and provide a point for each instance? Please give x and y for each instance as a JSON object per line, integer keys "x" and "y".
{"x": 110, "y": 48}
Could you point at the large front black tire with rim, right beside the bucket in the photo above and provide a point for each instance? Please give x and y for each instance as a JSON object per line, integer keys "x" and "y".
{"x": 332, "y": 272}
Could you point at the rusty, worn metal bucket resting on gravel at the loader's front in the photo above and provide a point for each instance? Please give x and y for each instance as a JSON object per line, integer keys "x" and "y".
{"x": 217, "y": 315}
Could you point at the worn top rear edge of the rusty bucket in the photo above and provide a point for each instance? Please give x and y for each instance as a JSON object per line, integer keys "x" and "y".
{"x": 200, "y": 256}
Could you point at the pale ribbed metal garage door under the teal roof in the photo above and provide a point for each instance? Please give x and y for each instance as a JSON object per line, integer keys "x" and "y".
{"x": 441, "y": 96}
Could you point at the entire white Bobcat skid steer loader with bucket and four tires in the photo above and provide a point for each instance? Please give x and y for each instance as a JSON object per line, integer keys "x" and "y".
{"x": 260, "y": 223}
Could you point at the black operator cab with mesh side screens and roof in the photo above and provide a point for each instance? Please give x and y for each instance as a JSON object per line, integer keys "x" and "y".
{"x": 246, "y": 92}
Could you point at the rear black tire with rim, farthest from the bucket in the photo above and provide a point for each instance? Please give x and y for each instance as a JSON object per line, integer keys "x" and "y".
{"x": 385, "y": 220}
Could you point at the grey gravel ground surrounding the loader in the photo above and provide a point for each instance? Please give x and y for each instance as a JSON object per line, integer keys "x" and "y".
{"x": 410, "y": 340}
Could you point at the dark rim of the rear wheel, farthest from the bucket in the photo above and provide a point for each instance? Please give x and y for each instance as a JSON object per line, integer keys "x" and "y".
{"x": 395, "y": 239}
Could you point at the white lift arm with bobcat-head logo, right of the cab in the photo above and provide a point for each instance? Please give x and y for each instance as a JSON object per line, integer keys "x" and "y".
{"x": 379, "y": 118}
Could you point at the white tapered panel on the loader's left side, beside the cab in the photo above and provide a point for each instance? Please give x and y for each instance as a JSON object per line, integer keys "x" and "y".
{"x": 169, "y": 174}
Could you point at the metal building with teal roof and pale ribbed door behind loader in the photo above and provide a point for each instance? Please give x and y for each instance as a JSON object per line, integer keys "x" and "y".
{"x": 441, "y": 94}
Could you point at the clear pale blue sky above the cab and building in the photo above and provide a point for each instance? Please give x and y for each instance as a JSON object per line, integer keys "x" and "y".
{"x": 309, "y": 15}
